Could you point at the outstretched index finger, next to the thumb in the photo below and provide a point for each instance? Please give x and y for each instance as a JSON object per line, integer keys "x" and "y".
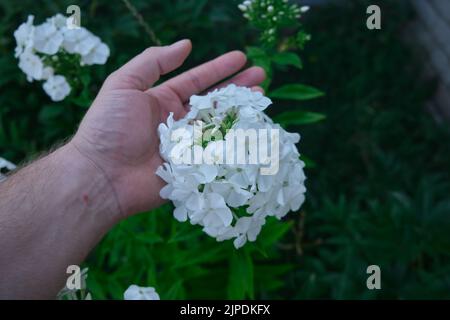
{"x": 206, "y": 75}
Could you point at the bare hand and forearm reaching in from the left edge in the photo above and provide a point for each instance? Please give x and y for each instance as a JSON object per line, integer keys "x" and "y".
{"x": 55, "y": 210}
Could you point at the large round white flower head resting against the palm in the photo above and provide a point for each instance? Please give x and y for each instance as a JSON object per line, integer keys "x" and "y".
{"x": 229, "y": 199}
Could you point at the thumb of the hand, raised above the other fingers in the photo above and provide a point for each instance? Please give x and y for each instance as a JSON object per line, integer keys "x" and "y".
{"x": 144, "y": 70}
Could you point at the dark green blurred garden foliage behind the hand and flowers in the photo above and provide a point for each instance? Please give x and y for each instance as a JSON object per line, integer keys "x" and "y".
{"x": 378, "y": 176}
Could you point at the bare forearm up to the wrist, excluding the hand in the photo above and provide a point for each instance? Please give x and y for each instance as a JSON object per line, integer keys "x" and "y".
{"x": 52, "y": 213}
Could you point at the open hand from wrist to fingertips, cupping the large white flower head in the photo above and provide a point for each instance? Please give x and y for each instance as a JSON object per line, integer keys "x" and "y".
{"x": 119, "y": 132}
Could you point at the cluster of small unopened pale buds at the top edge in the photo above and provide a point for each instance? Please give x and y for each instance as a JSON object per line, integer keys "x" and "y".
{"x": 271, "y": 17}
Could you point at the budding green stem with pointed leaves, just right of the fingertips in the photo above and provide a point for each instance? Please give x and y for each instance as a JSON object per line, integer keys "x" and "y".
{"x": 281, "y": 35}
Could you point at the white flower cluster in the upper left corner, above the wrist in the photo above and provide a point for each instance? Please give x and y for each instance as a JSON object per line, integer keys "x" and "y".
{"x": 38, "y": 48}
